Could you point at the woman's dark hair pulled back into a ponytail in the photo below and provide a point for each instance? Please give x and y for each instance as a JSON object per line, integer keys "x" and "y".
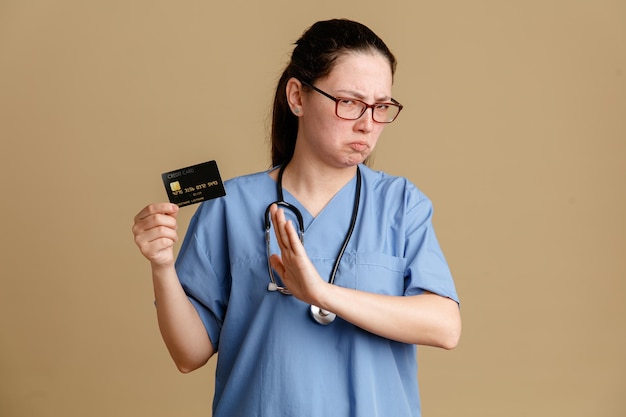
{"x": 313, "y": 58}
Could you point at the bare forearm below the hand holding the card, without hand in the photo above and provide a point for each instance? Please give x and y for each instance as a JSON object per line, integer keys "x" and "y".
{"x": 182, "y": 329}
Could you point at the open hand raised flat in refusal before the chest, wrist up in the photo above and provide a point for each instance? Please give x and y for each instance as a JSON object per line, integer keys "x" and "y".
{"x": 294, "y": 267}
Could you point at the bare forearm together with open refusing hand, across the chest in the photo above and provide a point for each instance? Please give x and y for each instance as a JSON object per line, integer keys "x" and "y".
{"x": 426, "y": 319}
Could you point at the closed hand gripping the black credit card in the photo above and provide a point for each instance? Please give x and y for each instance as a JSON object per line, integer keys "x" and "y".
{"x": 155, "y": 232}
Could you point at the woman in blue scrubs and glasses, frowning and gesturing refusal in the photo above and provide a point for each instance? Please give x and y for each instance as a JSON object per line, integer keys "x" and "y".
{"x": 369, "y": 257}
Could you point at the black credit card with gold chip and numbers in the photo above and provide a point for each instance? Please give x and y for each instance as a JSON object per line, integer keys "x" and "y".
{"x": 193, "y": 184}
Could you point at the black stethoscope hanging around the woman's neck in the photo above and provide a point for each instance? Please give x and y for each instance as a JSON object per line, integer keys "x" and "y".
{"x": 319, "y": 315}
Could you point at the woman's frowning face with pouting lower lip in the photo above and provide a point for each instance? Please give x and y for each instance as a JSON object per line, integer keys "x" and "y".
{"x": 334, "y": 141}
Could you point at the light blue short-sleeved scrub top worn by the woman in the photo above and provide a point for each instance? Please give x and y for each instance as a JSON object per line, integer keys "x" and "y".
{"x": 273, "y": 358}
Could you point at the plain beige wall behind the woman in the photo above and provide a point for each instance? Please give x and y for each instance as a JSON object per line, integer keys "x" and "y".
{"x": 515, "y": 125}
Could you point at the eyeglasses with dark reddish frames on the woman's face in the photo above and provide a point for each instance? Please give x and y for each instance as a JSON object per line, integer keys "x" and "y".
{"x": 353, "y": 109}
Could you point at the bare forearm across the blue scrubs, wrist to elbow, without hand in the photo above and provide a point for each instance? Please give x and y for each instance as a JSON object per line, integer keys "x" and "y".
{"x": 426, "y": 319}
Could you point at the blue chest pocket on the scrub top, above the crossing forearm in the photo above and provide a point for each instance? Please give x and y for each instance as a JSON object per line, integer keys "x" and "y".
{"x": 379, "y": 273}
